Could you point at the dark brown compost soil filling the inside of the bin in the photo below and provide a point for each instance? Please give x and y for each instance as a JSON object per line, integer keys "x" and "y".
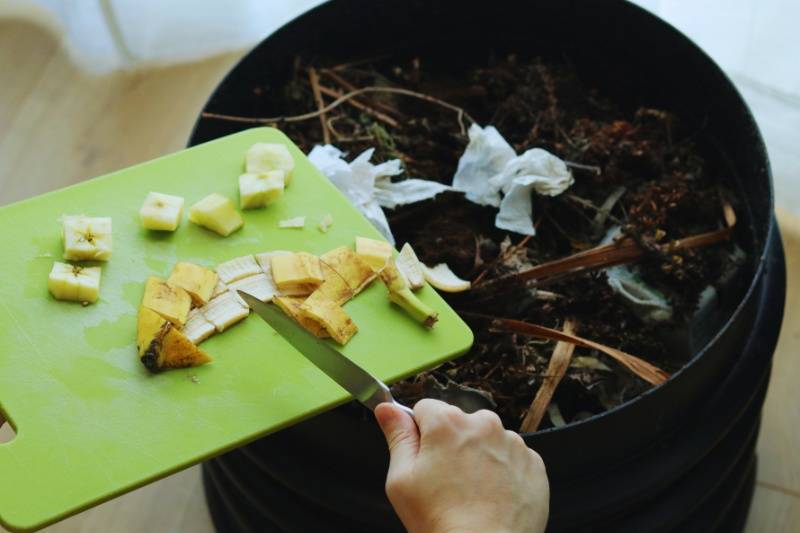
{"x": 672, "y": 189}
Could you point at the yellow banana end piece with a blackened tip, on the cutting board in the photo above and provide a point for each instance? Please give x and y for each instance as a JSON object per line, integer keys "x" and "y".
{"x": 161, "y": 346}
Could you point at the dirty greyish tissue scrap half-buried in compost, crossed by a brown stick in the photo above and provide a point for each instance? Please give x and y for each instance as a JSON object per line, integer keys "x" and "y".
{"x": 650, "y": 304}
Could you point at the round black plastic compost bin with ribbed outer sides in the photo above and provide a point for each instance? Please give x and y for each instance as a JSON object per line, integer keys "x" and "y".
{"x": 680, "y": 456}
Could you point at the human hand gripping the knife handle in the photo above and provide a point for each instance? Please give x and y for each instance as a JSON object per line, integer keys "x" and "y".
{"x": 456, "y": 472}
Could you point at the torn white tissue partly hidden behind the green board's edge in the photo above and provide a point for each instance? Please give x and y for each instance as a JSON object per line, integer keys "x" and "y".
{"x": 369, "y": 187}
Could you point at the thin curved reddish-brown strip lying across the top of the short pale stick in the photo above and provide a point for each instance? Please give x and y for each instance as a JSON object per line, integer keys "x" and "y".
{"x": 648, "y": 372}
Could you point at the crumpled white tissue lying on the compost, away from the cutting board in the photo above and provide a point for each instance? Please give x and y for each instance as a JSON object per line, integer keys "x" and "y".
{"x": 489, "y": 166}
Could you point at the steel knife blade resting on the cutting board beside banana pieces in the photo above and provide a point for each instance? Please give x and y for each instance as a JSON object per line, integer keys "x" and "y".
{"x": 364, "y": 387}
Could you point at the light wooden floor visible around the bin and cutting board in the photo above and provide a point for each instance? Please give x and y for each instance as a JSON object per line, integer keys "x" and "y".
{"x": 58, "y": 126}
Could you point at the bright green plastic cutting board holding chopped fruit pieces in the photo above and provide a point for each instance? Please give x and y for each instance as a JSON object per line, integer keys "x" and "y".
{"x": 91, "y": 422}
